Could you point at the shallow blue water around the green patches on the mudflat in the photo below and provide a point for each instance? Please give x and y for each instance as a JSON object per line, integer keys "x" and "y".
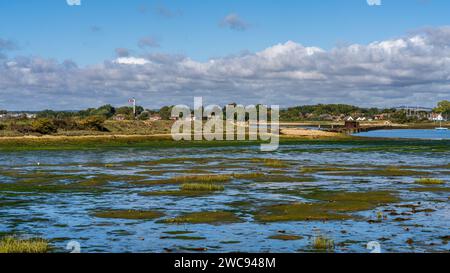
{"x": 66, "y": 216}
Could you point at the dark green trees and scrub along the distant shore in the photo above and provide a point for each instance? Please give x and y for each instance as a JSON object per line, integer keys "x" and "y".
{"x": 49, "y": 121}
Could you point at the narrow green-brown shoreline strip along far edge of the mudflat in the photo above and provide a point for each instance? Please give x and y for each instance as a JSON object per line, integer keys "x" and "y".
{"x": 48, "y": 143}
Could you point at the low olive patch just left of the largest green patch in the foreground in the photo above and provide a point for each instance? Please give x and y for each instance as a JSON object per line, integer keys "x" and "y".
{"x": 206, "y": 217}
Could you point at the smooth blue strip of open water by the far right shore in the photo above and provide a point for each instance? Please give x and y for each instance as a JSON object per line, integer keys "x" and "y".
{"x": 414, "y": 133}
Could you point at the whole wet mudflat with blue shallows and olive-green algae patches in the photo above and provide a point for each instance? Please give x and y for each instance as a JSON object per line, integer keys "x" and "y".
{"x": 308, "y": 196}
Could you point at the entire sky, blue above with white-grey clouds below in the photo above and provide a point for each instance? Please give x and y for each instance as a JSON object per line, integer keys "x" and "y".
{"x": 73, "y": 54}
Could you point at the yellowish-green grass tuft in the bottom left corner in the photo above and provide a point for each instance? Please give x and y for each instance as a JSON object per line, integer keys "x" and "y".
{"x": 15, "y": 245}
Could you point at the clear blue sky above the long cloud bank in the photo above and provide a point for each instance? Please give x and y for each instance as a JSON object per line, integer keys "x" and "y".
{"x": 89, "y": 33}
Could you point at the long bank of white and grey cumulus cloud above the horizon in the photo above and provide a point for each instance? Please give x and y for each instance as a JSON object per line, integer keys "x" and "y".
{"x": 409, "y": 70}
